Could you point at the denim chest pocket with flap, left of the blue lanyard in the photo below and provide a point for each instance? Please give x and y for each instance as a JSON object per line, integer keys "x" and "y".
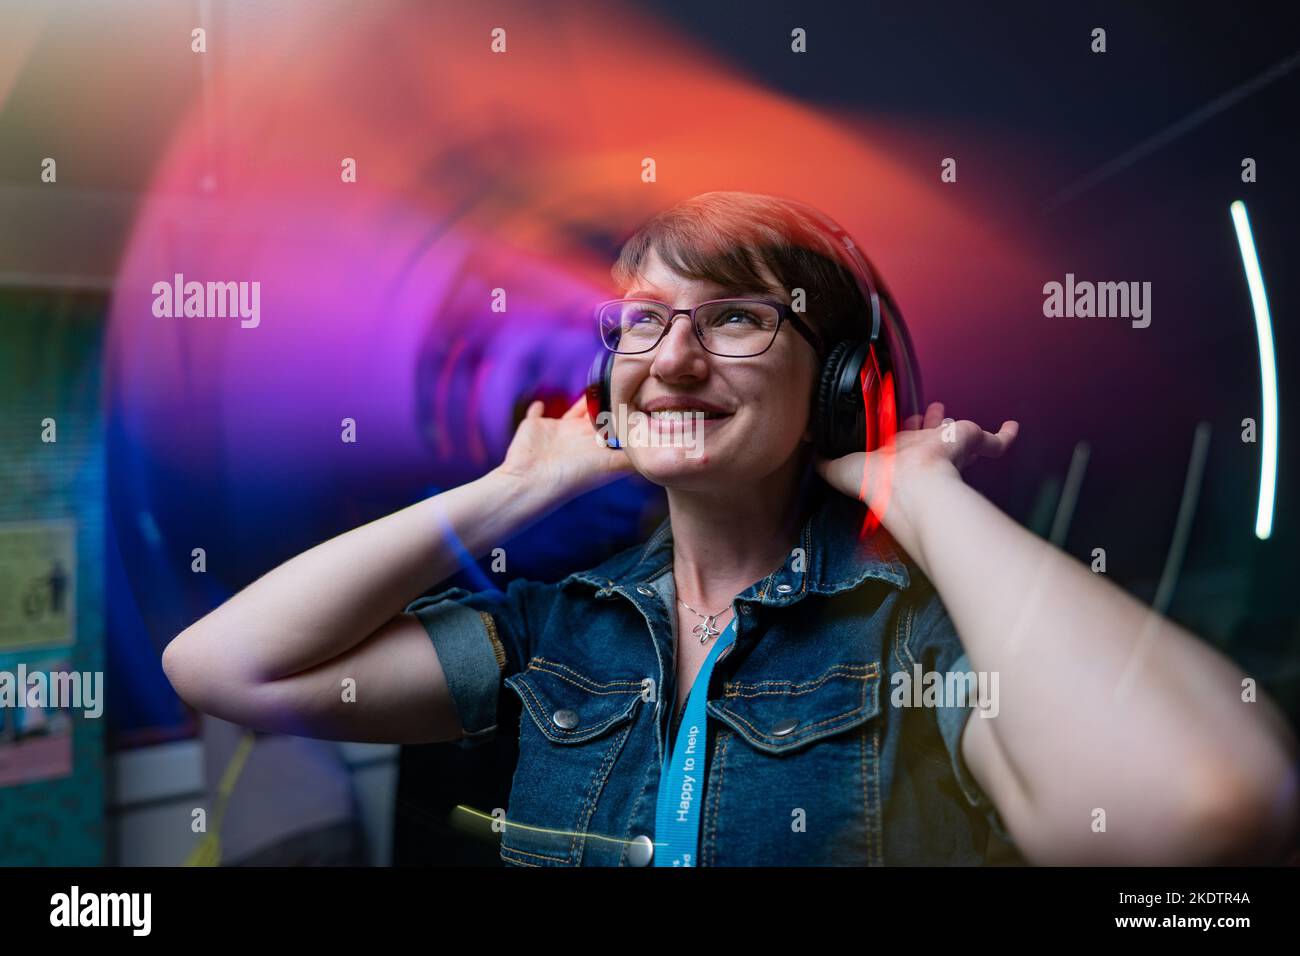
{"x": 569, "y": 741}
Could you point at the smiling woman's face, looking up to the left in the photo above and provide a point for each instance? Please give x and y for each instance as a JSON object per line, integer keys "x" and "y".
{"x": 759, "y": 408}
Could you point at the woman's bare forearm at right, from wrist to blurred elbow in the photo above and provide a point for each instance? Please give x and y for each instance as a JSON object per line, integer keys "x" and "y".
{"x": 1103, "y": 703}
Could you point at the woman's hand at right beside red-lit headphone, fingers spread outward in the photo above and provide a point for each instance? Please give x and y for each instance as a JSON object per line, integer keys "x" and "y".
{"x": 925, "y": 447}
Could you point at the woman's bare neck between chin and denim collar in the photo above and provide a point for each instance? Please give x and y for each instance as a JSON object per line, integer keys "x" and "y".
{"x": 727, "y": 540}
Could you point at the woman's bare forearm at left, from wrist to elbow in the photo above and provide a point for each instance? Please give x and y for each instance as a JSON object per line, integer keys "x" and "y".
{"x": 324, "y": 602}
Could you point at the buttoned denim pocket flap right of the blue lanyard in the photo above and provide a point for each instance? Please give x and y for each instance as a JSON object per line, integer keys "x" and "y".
{"x": 783, "y": 716}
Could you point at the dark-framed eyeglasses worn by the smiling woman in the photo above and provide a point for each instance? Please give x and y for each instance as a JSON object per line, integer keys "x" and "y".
{"x": 733, "y": 328}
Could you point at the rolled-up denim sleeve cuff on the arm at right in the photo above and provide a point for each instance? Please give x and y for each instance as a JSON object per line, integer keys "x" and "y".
{"x": 933, "y": 641}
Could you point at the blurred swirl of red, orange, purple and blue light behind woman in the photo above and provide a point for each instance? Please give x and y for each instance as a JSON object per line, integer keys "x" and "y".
{"x": 475, "y": 171}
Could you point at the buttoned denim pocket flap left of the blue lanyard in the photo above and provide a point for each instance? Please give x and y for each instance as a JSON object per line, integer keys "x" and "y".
{"x": 569, "y": 707}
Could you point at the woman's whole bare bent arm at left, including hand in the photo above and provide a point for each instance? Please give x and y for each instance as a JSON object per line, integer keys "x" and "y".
{"x": 275, "y": 656}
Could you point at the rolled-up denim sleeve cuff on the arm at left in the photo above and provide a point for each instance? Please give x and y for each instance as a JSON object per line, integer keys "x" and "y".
{"x": 482, "y": 638}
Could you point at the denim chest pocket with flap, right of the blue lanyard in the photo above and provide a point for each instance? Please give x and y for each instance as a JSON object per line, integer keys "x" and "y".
{"x": 795, "y": 772}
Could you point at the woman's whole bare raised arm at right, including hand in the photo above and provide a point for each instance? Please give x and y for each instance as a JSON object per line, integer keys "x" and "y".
{"x": 1104, "y": 706}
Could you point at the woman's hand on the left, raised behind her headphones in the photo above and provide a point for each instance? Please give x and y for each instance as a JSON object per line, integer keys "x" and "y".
{"x": 562, "y": 455}
